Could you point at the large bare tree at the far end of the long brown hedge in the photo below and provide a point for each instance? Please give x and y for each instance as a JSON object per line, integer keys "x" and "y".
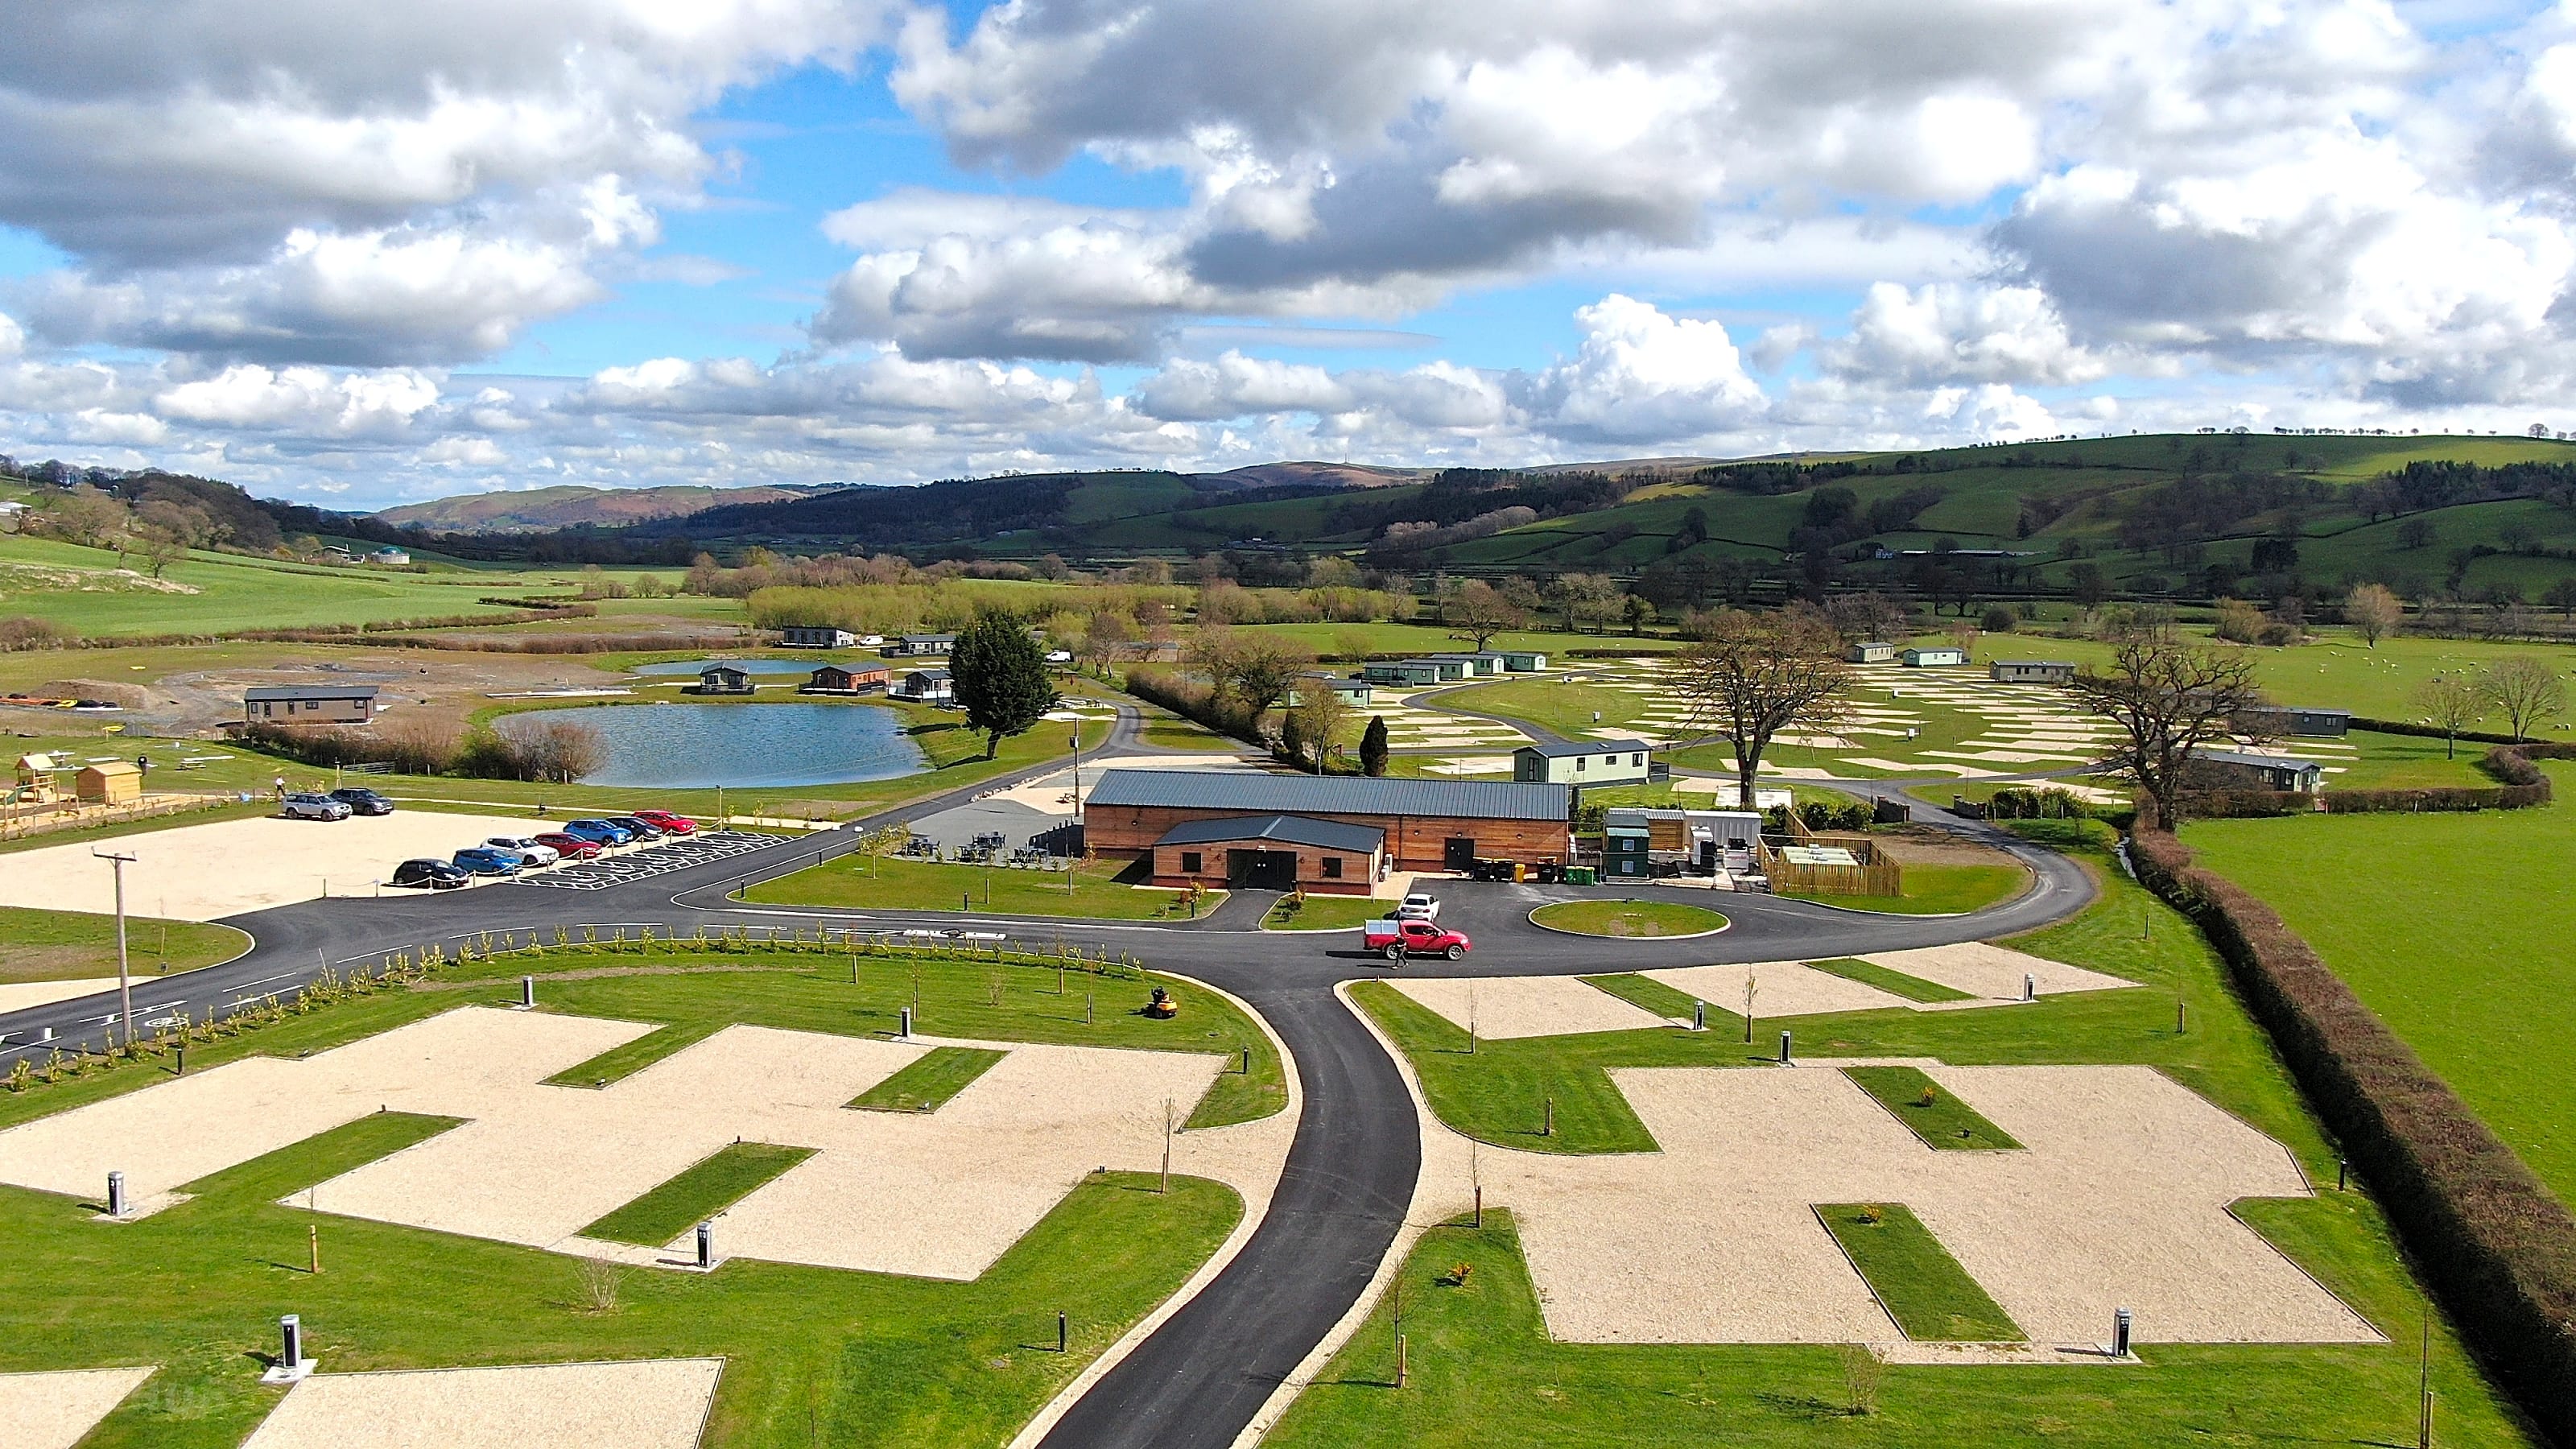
{"x": 2168, "y": 700}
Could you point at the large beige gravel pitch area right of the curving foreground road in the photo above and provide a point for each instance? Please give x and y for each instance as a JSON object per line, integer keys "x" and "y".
{"x": 2119, "y": 1198}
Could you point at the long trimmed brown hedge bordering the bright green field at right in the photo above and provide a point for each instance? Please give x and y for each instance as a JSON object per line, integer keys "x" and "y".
{"x": 2490, "y": 1236}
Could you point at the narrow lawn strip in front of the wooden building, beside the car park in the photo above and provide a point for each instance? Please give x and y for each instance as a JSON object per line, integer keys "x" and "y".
{"x": 890, "y": 883}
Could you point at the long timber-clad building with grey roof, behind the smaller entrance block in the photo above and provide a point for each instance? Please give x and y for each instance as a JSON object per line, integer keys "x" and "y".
{"x": 1426, "y": 824}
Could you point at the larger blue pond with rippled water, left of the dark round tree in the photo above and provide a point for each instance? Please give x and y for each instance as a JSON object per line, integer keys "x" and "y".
{"x": 738, "y": 746}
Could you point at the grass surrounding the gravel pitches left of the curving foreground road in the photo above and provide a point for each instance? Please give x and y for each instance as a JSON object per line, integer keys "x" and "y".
{"x": 815, "y": 1357}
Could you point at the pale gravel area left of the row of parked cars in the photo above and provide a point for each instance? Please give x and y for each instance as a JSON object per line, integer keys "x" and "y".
{"x": 205, "y": 873}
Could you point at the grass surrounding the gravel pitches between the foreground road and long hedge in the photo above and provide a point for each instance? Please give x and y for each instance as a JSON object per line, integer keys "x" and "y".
{"x": 1482, "y": 1368}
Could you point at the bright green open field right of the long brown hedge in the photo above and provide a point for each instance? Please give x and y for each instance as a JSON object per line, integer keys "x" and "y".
{"x": 2454, "y": 929}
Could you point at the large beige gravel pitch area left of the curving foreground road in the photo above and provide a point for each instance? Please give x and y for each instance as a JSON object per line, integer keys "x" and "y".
{"x": 926, "y": 1195}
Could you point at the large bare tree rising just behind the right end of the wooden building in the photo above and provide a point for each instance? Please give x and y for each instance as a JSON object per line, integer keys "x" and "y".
{"x": 1750, "y": 677}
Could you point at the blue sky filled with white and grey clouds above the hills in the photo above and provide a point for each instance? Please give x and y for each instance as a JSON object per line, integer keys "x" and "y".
{"x": 380, "y": 254}
